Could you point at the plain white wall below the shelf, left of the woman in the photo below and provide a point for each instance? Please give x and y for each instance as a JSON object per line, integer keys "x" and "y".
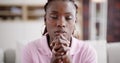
{"x": 12, "y": 32}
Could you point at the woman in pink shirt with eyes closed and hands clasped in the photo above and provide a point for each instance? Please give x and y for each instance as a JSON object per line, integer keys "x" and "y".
{"x": 58, "y": 45}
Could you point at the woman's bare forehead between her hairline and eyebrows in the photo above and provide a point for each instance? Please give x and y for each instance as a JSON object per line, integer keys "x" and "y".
{"x": 61, "y": 6}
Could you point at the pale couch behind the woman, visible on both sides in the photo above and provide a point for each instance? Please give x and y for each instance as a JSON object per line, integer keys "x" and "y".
{"x": 107, "y": 53}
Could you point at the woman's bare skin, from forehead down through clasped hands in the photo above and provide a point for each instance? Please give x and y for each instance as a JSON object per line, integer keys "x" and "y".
{"x": 60, "y": 21}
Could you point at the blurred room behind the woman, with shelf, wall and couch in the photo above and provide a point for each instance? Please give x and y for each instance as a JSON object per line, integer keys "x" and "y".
{"x": 98, "y": 24}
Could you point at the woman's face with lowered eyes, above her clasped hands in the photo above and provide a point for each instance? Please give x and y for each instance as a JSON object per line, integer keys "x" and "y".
{"x": 60, "y": 19}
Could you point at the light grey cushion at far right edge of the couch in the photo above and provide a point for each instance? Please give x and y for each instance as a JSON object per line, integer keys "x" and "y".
{"x": 113, "y": 50}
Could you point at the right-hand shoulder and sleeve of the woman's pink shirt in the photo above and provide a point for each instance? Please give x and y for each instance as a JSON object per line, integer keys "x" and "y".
{"x": 85, "y": 51}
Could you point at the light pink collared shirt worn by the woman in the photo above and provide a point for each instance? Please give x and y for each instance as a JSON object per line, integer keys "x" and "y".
{"x": 39, "y": 52}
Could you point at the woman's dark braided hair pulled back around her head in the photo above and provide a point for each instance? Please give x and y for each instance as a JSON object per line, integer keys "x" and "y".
{"x": 47, "y": 4}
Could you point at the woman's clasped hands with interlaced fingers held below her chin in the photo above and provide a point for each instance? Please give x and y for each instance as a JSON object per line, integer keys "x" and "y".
{"x": 60, "y": 47}
